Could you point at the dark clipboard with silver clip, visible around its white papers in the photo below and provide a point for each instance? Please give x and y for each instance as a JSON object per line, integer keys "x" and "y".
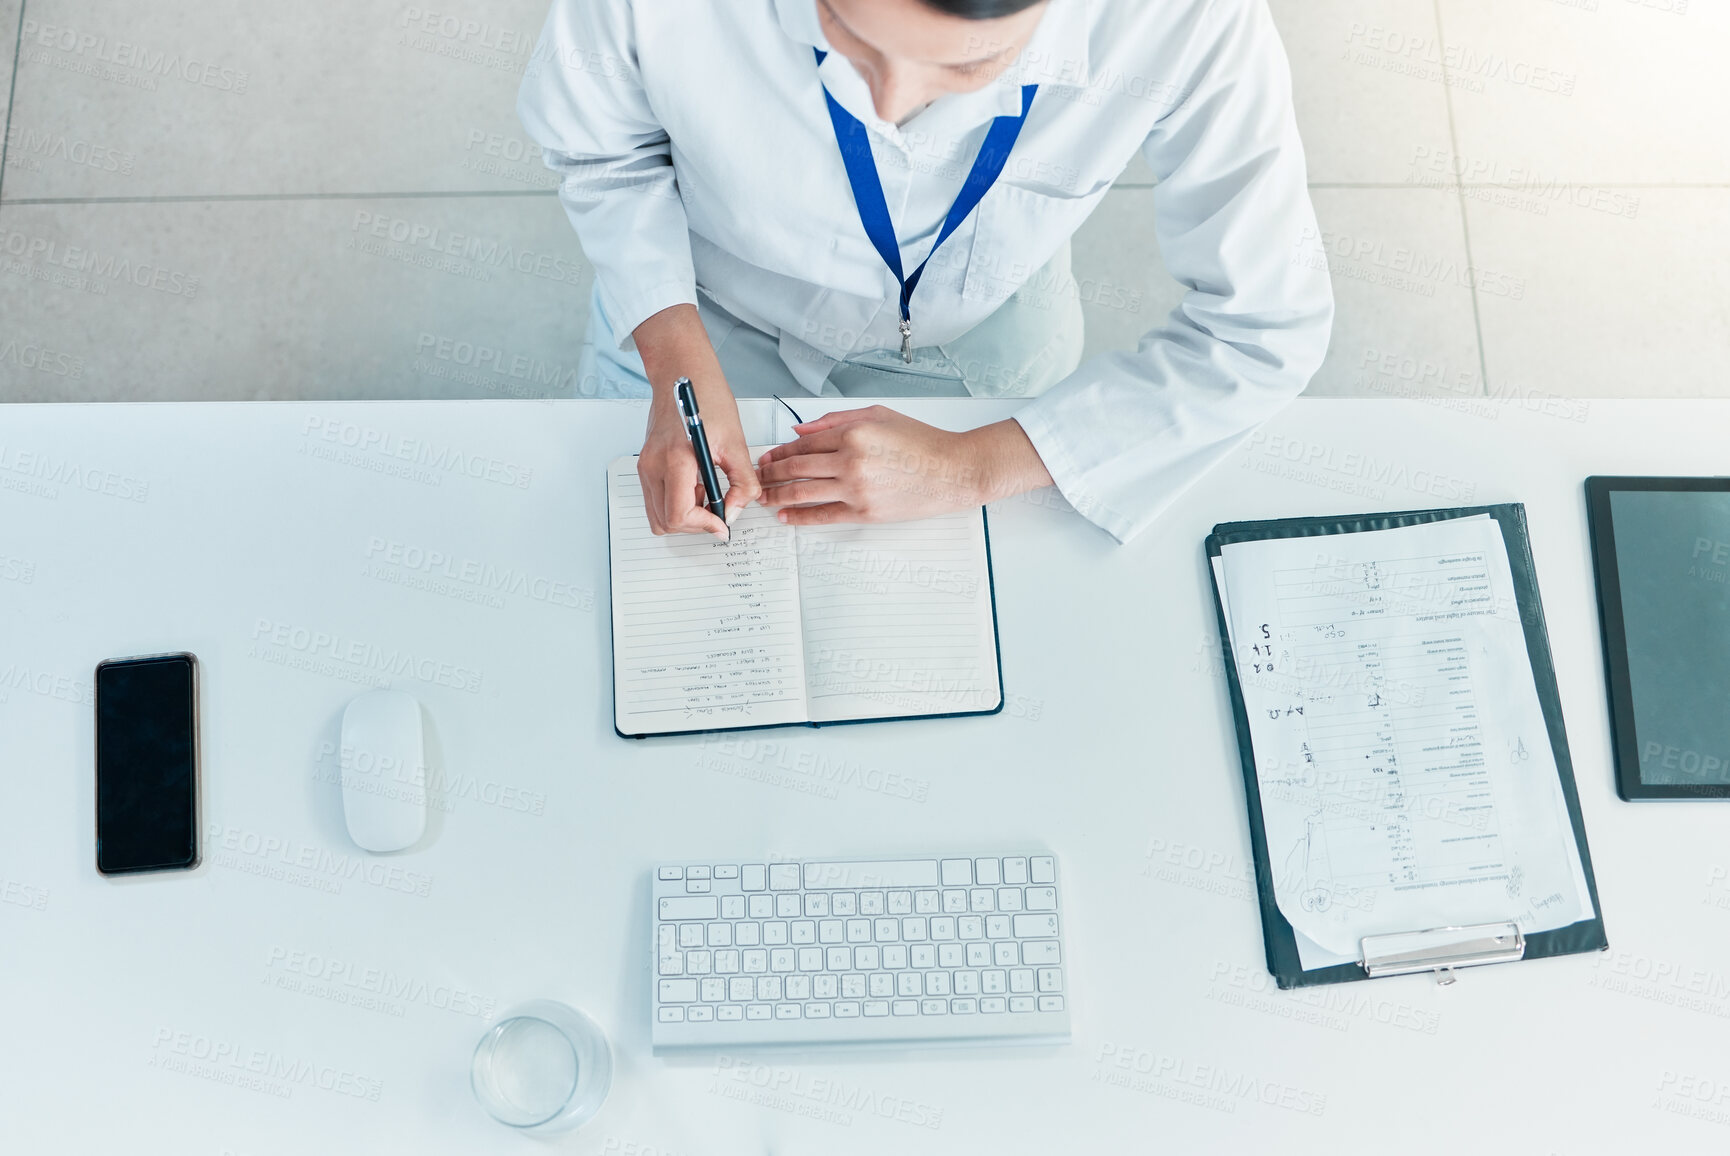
{"x": 1440, "y": 951}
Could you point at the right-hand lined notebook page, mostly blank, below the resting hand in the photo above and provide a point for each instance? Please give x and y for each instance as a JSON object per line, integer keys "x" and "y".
{"x": 899, "y": 619}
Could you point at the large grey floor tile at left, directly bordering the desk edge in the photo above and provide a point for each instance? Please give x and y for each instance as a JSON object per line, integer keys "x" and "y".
{"x": 371, "y": 299}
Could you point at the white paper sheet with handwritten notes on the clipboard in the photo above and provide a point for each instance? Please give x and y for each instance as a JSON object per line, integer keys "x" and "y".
{"x": 1406, "y": 769}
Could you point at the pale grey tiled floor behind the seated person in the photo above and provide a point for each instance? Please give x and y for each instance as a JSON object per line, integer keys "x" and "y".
{"x": 1561, "y": 167}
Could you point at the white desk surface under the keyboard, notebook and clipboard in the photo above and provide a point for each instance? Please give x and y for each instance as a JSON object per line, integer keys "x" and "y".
{"x": 257, "y": 539}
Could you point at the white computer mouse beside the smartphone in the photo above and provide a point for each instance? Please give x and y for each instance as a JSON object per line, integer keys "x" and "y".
{"x": 385, "y": 771}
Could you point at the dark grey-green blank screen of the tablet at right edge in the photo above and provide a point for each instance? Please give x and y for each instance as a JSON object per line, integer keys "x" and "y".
{"x": 1674, "y": 568}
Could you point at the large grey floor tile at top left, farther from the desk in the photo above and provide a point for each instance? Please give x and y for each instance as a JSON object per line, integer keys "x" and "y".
{"x": 207, "y": 98}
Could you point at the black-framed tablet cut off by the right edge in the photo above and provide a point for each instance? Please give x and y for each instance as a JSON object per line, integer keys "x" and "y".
{"x": 1662, "y": 549}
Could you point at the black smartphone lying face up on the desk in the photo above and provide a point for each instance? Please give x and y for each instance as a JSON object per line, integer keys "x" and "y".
{"x": 148, "y": 764}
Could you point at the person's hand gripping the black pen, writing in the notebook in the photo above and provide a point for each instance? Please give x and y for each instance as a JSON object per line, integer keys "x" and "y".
{"x": 674, "y": 344}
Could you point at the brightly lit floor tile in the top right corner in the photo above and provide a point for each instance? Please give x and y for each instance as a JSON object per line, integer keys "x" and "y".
{"x": 1591, "y": 91}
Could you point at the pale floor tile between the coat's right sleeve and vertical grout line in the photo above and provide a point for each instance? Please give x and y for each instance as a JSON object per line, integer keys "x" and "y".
{"x": 1402, "y": 292}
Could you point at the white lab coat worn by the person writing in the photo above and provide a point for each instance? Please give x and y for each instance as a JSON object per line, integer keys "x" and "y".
{"x": 696, "y": 150}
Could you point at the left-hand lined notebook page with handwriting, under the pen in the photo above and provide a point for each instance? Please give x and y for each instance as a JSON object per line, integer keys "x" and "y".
{"x": 703, "y": 634}
